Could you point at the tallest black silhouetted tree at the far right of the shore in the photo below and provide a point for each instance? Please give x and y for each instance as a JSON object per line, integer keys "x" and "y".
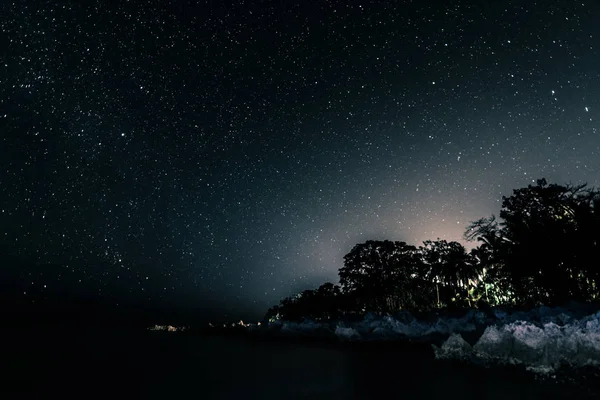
{"x": 546, "y": 226}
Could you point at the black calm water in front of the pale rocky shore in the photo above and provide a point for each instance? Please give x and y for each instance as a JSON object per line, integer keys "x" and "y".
{"x": 69, "y": 364}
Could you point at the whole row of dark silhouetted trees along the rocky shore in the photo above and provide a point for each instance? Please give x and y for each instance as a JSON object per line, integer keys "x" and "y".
{"x": 544, "y": 249}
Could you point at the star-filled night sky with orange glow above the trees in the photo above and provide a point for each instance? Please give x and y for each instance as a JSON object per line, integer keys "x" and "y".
{"x": 219, "y": 155}
